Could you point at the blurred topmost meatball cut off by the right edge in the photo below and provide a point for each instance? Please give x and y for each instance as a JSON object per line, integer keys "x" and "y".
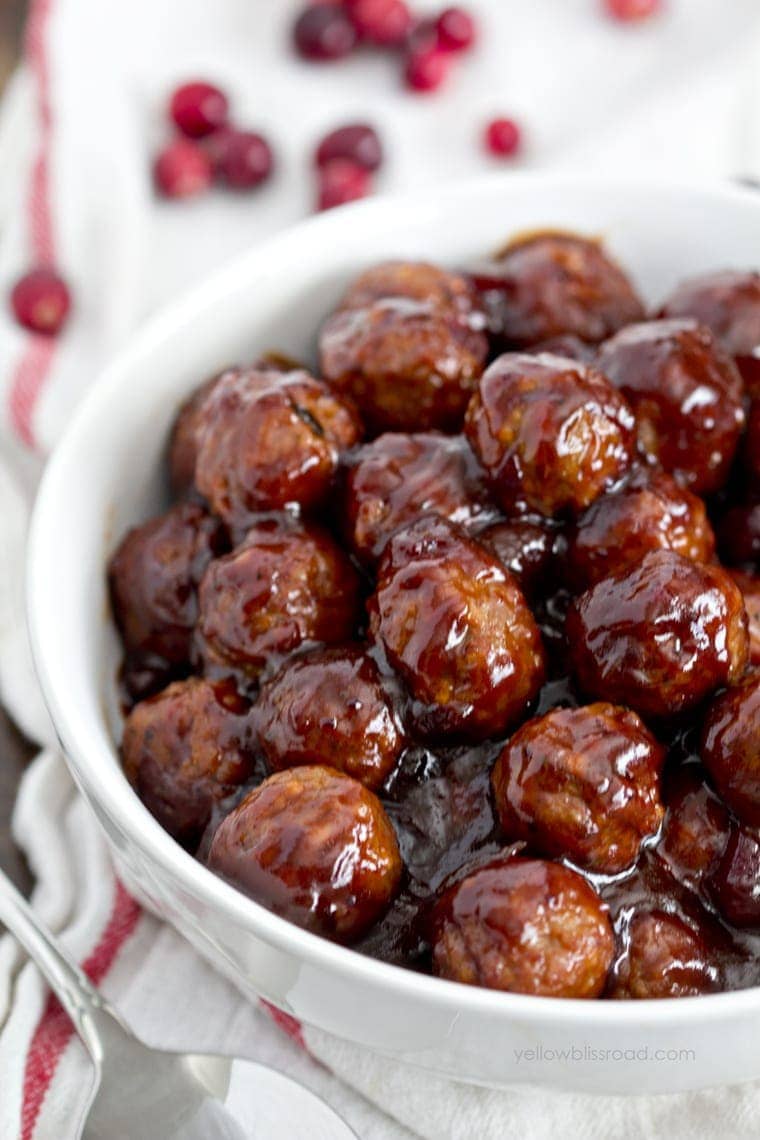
{"x": 728, "y": 303}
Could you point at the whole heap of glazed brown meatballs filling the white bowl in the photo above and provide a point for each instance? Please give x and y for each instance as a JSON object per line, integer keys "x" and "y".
{"x": 445, "y": 649}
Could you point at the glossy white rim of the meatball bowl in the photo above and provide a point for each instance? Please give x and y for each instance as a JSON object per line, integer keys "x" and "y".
{"x": 107, "y": 785}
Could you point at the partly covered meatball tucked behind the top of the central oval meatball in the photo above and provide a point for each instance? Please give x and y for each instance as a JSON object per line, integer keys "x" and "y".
{"x": 397, "y": 478}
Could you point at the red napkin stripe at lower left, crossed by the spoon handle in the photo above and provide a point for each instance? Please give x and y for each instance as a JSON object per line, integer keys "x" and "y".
{"x": 54, "y": 1030}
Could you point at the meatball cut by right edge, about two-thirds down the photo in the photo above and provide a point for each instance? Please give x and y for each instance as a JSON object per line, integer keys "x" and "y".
{"x": 731, "y": 748}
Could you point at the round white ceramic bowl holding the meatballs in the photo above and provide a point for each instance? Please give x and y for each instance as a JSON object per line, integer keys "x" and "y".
{"x": 107, "y": 475}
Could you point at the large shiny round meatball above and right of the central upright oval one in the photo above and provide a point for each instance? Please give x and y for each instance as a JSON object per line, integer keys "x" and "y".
{"x": 552, "y": 435}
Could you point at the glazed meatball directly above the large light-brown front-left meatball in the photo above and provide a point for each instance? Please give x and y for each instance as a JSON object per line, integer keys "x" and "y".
{"x": 330, "y": 707}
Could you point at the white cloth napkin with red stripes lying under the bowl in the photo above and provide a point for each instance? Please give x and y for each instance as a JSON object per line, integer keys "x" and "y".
{"x": 680, "y": 94}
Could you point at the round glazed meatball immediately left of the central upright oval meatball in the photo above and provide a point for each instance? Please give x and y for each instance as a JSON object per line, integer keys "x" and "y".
{"x": 287, "y": 584}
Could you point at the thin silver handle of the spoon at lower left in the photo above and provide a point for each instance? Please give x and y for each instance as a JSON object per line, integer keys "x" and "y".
{"x": 85, "y": 1006}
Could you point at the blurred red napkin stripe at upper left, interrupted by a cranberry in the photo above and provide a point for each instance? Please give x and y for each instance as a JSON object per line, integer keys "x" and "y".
{"x": 35, "y": 365}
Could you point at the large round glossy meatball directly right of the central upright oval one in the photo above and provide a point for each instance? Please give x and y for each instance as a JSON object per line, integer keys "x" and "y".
{"x": 659, "y": 637}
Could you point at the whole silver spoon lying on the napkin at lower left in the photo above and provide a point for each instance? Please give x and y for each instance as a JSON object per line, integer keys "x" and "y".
{"x": 140, "y": 1093}
